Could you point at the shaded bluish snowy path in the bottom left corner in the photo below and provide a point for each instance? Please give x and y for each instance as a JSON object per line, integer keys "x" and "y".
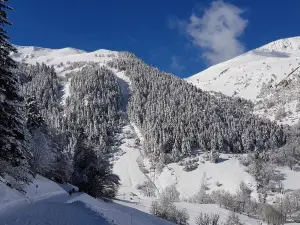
{"x": 52, "y": 211}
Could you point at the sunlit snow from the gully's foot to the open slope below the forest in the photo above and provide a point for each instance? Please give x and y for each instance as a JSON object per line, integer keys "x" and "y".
{"x": 228, "y": 174}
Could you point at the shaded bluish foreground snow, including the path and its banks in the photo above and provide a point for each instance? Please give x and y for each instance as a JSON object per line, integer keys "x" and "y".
{"x": 50, "y": 204}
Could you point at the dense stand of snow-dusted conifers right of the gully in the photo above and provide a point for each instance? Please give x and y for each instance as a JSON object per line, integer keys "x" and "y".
{"x": 176, "y": 117}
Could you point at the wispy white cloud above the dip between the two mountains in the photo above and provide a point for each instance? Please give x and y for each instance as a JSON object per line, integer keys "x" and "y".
{"x": 217, "y": 31}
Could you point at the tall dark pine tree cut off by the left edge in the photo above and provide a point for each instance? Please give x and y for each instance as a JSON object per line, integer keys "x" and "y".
{"x": 12, "y": 124}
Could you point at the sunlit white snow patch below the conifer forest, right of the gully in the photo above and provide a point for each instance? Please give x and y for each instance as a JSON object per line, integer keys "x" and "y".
{"x": 229, "y": 174}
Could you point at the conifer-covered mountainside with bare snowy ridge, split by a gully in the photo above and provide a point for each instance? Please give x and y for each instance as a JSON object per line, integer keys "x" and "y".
{"x": 174, "y": 117}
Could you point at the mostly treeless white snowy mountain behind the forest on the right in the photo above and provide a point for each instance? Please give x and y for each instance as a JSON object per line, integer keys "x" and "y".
{"x": 269, "y": 76}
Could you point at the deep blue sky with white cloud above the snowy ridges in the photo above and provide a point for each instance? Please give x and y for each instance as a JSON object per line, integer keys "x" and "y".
{"x": 178, "y": 36}
